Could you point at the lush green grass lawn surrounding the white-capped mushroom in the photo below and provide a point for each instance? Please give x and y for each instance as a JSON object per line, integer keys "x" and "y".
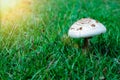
{"x": 36, "y": 46}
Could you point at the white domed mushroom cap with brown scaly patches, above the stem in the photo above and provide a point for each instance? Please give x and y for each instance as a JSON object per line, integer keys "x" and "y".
{"x": 86, "y": 27}
